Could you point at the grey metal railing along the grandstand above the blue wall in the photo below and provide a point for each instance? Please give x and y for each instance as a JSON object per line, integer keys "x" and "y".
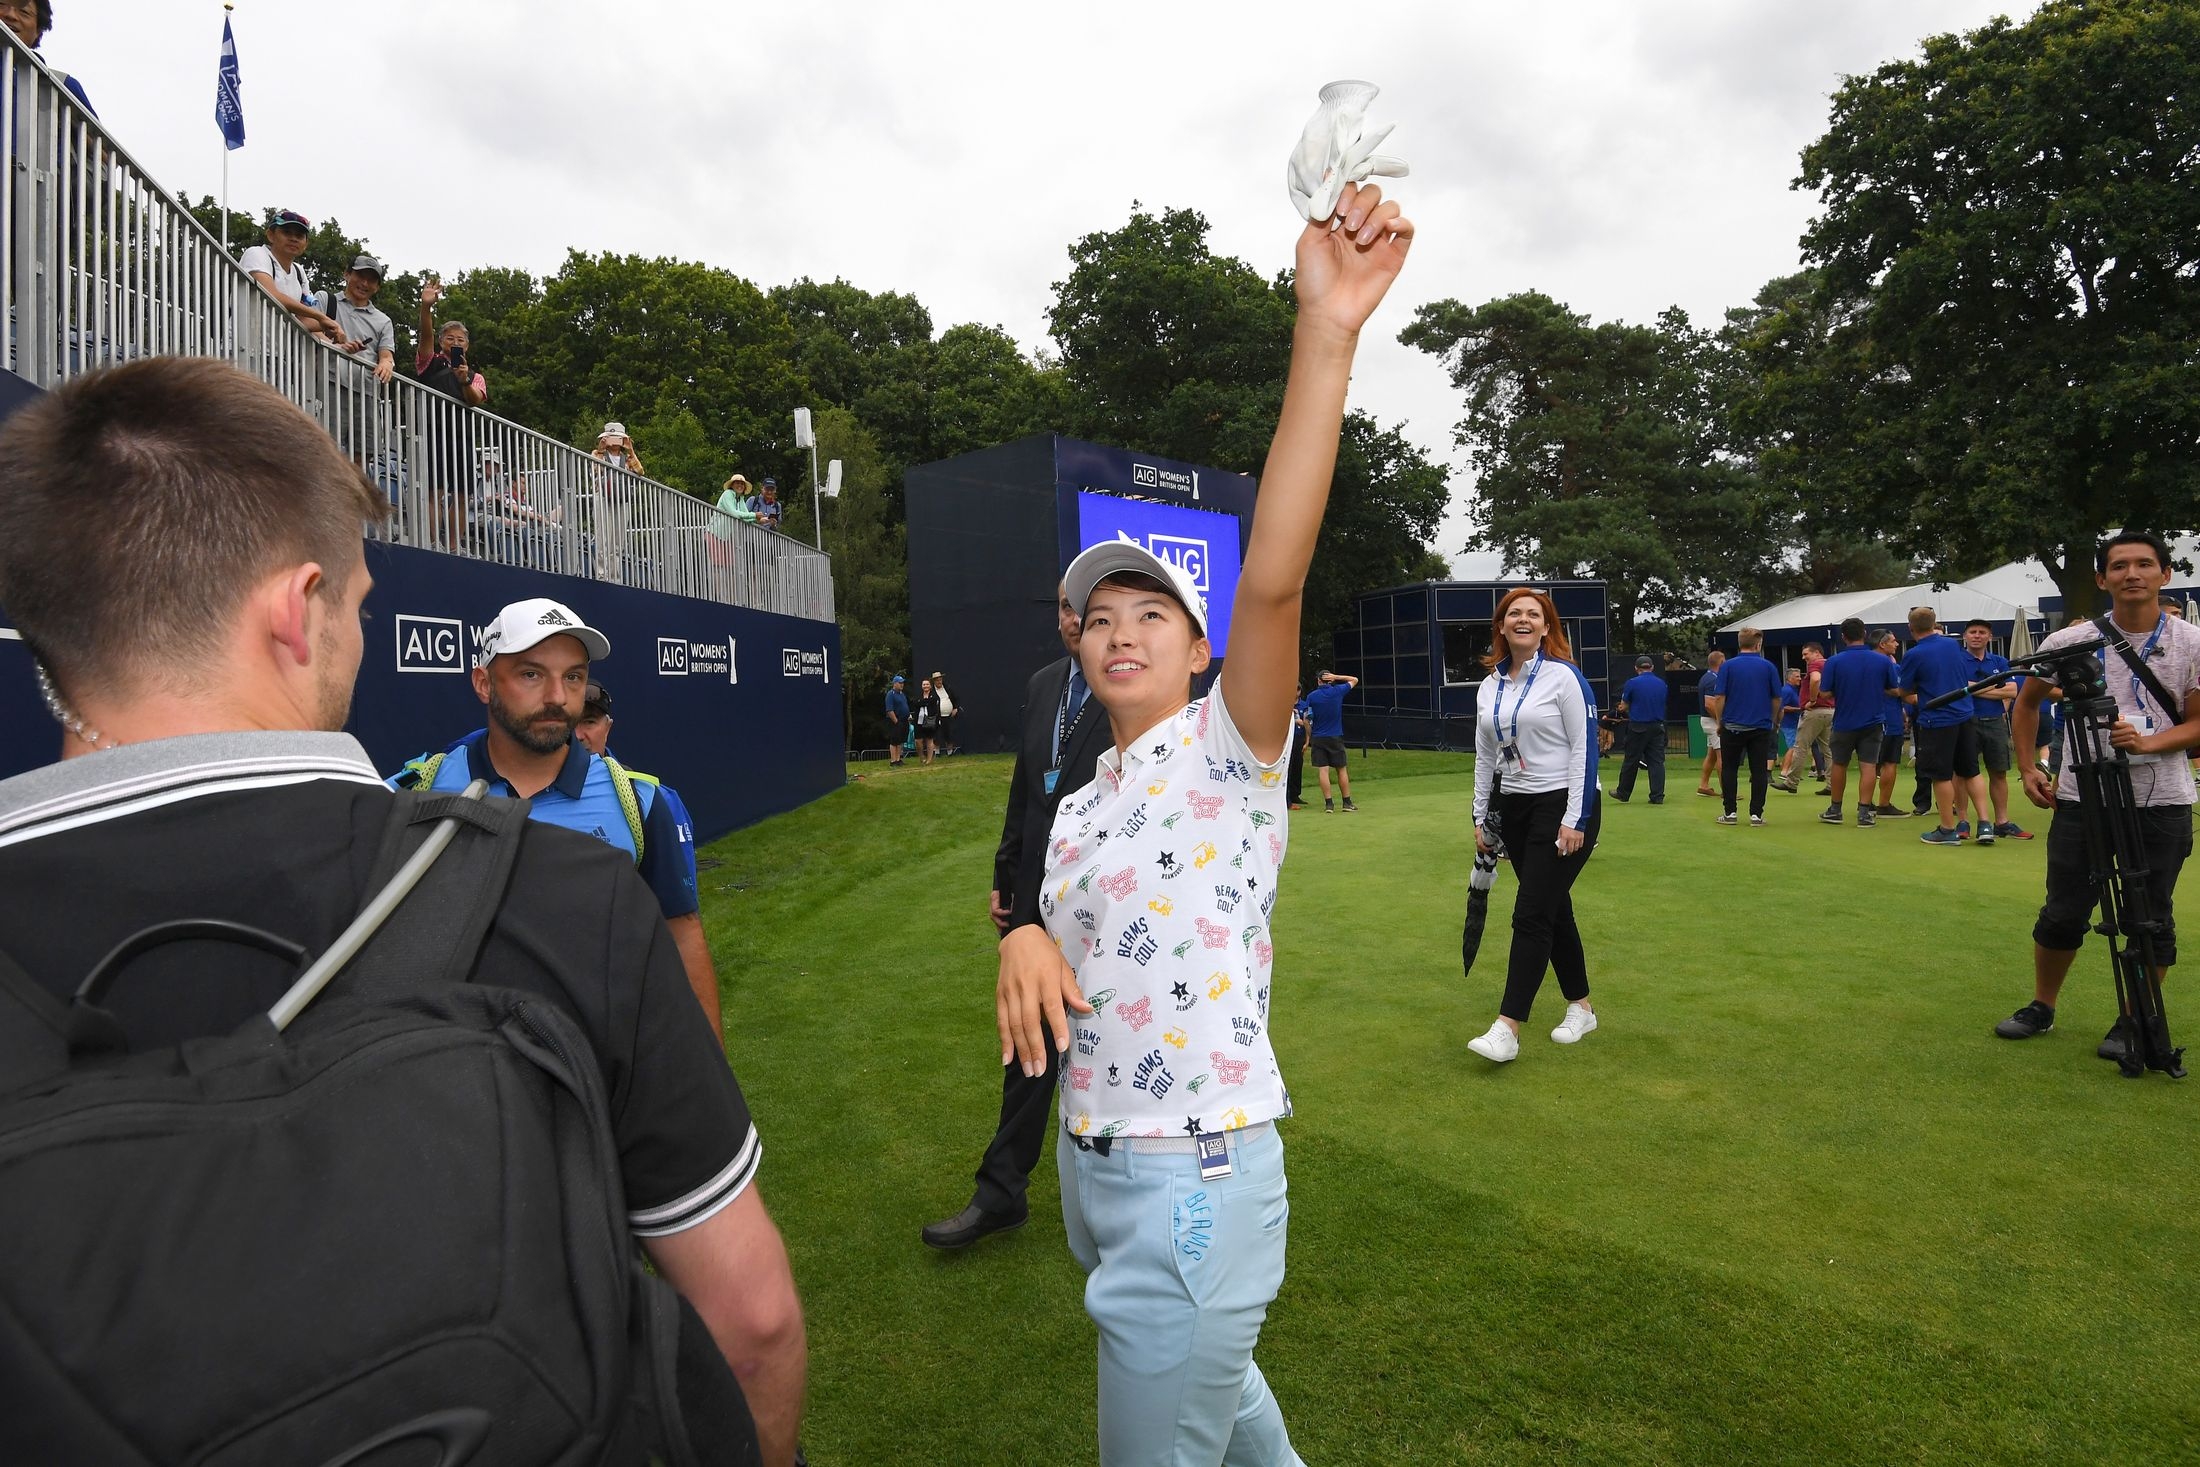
{"x": 100, "y": 265}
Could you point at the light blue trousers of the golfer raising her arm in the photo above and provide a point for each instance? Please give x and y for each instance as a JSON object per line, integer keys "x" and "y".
{"x": 1178, "y": 1277}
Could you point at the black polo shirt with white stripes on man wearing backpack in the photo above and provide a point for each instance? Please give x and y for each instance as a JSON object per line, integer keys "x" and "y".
{"x": 278, "y": 830}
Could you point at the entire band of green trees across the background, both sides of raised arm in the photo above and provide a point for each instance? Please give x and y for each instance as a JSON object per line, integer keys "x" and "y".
{"x": 1985, "y": 355}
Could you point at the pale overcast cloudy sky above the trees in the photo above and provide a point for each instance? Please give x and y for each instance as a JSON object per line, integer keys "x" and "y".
{"x": 1616, "y": 155}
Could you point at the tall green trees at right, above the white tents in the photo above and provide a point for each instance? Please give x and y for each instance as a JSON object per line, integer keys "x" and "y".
{"x": 1988, "y": 355}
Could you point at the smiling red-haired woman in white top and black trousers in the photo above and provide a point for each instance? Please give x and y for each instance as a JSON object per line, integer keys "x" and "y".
{"x": 1537, "y": 791}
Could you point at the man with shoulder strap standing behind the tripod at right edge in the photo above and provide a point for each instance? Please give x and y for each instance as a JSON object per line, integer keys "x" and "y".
{"x": 2133, "y": 569}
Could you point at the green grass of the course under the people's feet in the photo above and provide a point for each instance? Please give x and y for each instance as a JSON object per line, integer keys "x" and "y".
{"x": 1792, "y": 1202}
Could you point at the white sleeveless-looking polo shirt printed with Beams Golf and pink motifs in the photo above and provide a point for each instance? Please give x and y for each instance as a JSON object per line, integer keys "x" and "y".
{"x": 1160, "y": 887}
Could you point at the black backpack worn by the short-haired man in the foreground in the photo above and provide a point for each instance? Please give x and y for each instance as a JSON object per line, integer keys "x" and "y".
{"x": 390, "y": 1233}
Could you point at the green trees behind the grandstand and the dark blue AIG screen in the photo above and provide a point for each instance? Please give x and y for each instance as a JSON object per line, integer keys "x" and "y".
{"x": 1158, "y": 344}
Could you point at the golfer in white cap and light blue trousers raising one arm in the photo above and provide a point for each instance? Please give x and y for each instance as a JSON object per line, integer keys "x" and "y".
{"x": 1158, "y": 896}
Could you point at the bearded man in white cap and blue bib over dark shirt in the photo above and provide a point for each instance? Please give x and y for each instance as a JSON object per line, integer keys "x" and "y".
{"x": 533, "y": 681}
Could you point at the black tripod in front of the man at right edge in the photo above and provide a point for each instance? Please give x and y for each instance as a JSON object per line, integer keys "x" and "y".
{"x": 2115, "y": 846}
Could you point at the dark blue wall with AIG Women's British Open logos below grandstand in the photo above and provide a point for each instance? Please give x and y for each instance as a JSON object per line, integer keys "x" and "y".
{"x": 738, "y": 709}
